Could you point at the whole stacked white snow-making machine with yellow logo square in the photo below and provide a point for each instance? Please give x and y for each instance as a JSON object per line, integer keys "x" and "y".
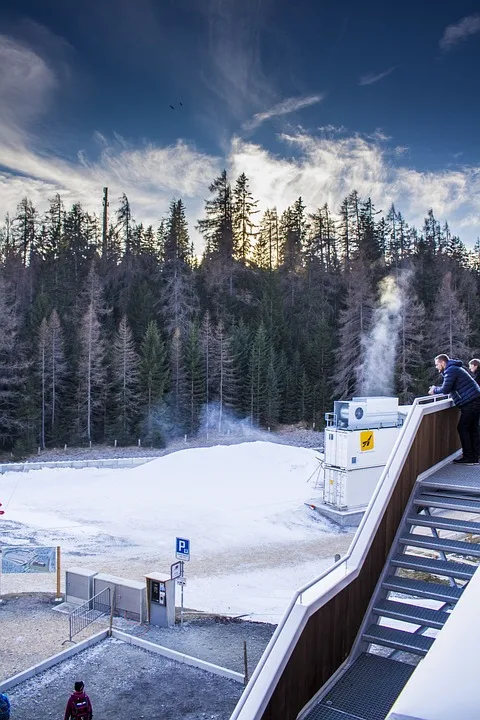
{"x": 359, "y": 437}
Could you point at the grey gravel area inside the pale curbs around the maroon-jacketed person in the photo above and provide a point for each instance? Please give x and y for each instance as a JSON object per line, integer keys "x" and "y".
{"x": 124, "y": 681}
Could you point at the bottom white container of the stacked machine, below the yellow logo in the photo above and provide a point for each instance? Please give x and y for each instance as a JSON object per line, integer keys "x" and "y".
{"x": 350, "y": 489}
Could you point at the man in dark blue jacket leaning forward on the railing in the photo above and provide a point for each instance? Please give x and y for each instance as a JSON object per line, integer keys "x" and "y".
{"x": 465, "y": 393}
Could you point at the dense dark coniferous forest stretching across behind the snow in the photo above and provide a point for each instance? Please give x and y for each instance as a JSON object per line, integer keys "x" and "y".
{"x": 113, "y": 330}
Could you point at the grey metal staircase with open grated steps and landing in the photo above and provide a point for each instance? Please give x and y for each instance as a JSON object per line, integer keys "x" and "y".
{"x": 435, "y": 553}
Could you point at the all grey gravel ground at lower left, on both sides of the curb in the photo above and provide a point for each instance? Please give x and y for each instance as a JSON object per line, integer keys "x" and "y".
{"x": 118, "y": 675}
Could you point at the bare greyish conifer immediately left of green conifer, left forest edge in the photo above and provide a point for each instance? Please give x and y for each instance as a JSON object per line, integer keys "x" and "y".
{"x": 125, "y": 371}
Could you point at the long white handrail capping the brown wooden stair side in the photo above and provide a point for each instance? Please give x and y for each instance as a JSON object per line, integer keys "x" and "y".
{"x": 427, "y": 399}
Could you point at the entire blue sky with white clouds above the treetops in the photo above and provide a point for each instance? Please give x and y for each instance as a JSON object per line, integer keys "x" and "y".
{"x": 155, "y": 97}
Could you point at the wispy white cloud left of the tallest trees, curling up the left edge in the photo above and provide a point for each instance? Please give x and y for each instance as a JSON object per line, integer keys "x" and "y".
{"x": 148, "y": 174}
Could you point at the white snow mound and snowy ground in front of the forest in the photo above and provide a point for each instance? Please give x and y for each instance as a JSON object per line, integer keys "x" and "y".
{"x": 253, "y": 541}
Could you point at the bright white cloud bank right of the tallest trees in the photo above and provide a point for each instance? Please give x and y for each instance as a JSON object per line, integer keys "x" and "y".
{"x": 327, "y": 169}
